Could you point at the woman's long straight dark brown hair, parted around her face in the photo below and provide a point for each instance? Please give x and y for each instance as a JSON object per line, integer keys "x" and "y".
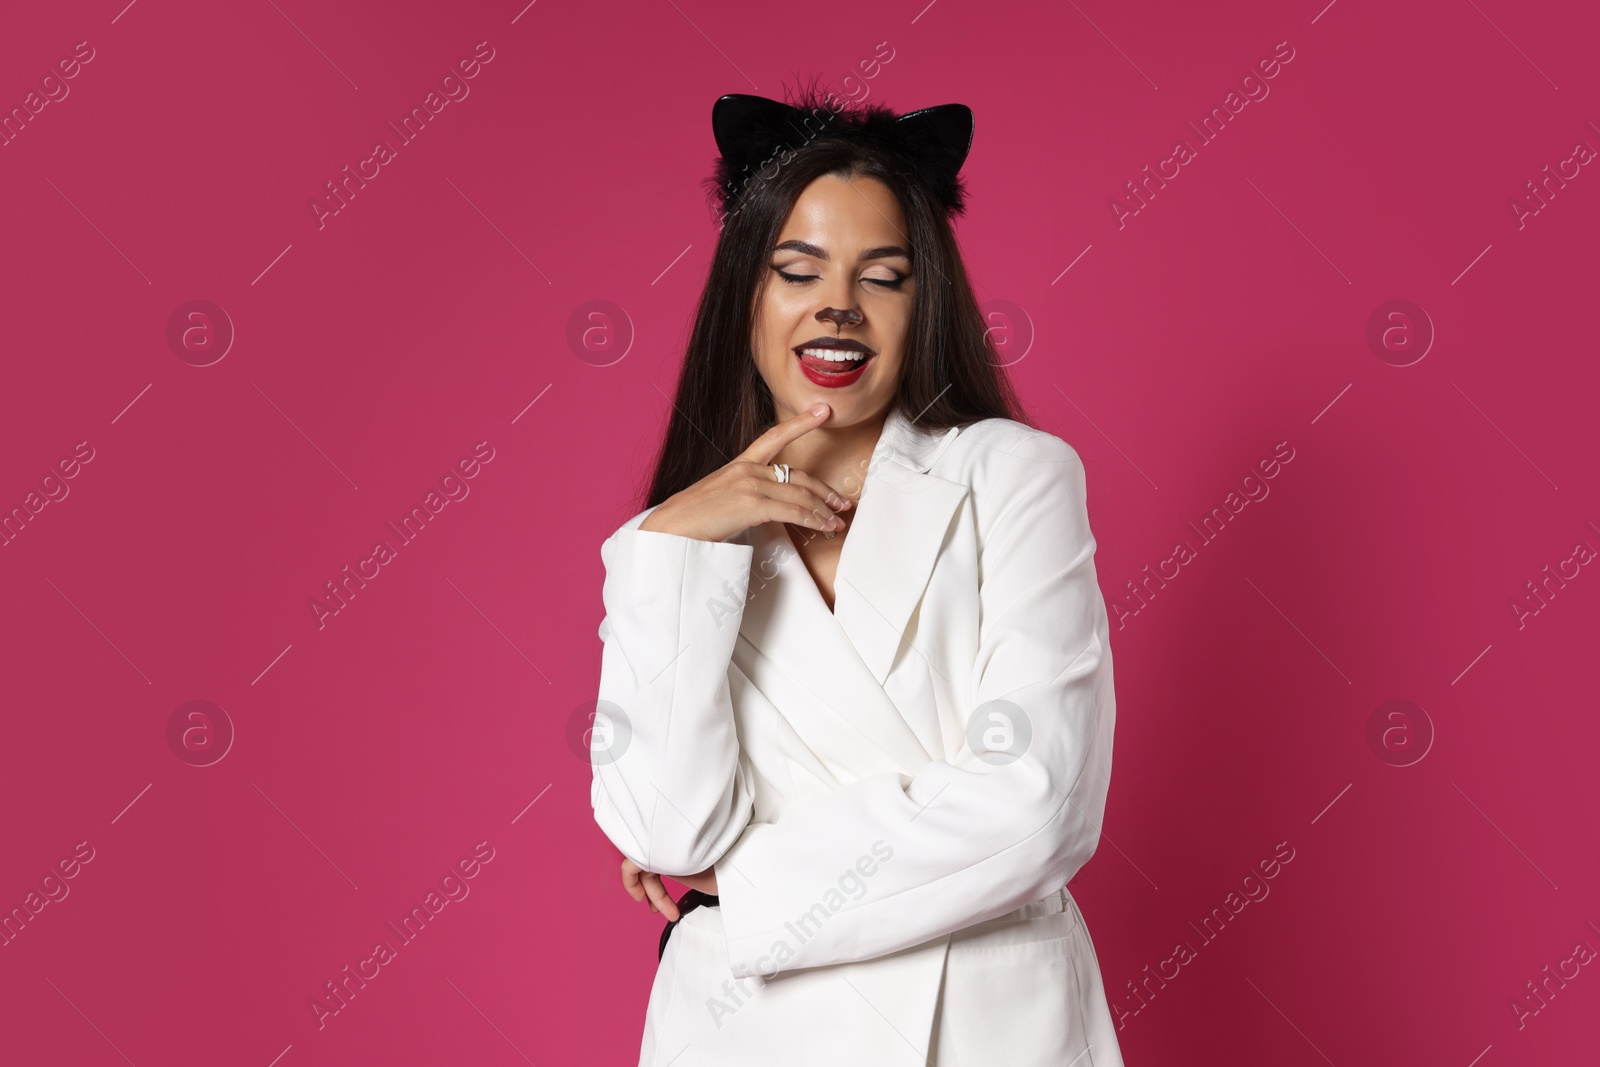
{"x": 722, "y": 404}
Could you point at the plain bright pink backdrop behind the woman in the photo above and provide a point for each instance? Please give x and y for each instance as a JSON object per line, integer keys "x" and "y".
{"x": 433, "y": 313}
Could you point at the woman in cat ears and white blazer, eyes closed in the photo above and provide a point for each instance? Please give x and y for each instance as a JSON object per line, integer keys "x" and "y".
{"x": 857, "y": 684}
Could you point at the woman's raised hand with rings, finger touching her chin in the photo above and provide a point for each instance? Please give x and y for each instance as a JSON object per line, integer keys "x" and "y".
{"x": 745, "y": 494}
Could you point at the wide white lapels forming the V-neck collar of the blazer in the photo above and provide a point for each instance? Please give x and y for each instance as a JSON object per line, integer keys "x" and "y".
{"x": 902, "y": 522}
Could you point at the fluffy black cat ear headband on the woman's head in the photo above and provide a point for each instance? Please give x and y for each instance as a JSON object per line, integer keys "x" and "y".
{"x": 754, "y": 137}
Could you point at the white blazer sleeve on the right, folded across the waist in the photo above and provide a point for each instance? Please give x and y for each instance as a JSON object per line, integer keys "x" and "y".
{"x": 964, "y": 841}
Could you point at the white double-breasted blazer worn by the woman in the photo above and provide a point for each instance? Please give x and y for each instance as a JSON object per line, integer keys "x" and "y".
{"x": 889, "y": 895}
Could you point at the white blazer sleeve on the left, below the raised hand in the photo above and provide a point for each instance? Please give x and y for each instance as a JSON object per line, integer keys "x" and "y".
{"x": 668, "y": 788}
